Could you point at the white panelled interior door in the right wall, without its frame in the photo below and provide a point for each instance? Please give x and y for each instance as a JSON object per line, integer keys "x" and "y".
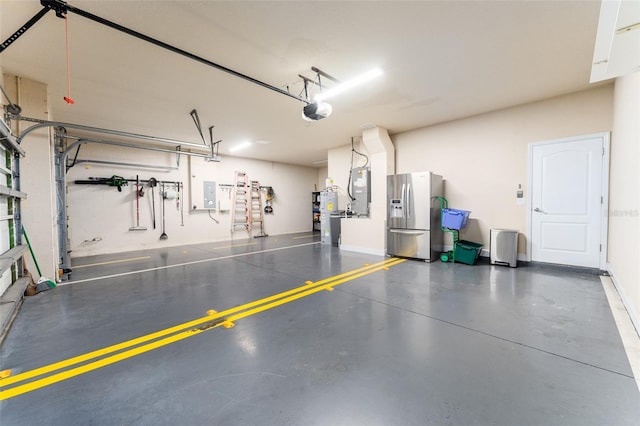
{"x": 566, "y": 201}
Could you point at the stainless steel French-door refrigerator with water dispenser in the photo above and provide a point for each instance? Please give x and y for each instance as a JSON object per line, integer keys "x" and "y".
{"x": 413, "y": 216}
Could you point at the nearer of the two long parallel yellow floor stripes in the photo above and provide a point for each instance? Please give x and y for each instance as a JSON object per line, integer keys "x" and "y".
{"x": 64, "y": 375}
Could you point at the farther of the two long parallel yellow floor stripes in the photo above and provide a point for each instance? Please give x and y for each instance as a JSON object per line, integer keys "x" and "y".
{"x": 133, "y": 342}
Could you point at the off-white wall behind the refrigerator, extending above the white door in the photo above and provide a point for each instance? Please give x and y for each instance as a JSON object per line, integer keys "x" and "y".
{"x": 483, "y": 159}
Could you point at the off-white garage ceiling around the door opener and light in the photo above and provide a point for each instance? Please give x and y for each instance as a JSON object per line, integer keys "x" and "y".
{"x": 442, "y": 60}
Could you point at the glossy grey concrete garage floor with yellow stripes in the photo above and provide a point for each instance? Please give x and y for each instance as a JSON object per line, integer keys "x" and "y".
{"x": 415, "y": 344}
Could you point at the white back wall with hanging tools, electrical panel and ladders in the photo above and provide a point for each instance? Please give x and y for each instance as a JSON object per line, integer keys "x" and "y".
{"x": 100, "y": 216}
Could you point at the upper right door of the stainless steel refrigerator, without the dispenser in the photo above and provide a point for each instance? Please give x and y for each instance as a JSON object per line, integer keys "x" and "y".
{"x": 418, "y": 200}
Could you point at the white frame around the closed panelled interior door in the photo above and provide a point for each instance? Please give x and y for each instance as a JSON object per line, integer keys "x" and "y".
{"x": 604, "y": 218}
